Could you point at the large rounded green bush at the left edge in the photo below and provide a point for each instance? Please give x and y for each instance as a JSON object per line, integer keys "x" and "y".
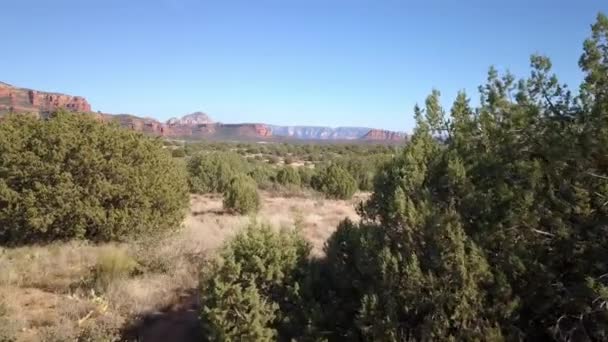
{"x": 70, "y": 176}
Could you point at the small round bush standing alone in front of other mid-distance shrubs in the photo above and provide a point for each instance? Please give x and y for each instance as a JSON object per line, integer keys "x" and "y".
{"x": 241, "y": 195}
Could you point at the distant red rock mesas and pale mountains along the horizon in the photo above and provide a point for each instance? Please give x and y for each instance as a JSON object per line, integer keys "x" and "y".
{"x": 197, "y": 125}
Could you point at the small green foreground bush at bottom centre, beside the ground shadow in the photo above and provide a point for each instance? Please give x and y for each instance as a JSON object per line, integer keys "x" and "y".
{"x": 252, "y": 293}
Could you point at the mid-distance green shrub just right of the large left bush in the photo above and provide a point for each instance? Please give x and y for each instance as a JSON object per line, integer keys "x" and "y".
{"x": 212, "y": 172}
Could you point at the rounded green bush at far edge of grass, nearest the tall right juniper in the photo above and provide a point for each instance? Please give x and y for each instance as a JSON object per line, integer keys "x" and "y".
{"x": 335, "y": 182}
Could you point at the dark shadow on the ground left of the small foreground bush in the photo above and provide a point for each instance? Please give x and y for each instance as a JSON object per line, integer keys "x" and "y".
{"x": 178, "y": 322}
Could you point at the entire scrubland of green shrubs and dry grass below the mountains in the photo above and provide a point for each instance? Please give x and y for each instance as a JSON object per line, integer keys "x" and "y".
{"x": 488, "y": 225}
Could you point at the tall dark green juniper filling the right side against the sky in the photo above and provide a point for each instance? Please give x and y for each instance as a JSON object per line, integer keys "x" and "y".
{"x": 516, "y": 195}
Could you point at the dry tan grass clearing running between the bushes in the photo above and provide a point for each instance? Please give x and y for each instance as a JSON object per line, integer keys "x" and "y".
{"x": 143, "y": 290}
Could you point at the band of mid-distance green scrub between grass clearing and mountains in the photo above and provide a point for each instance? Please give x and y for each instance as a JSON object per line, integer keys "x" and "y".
{"x": 212, "y": 165}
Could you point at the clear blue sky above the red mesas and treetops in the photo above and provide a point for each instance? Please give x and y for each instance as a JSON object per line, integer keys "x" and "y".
{"x": 312, "y": 62}
